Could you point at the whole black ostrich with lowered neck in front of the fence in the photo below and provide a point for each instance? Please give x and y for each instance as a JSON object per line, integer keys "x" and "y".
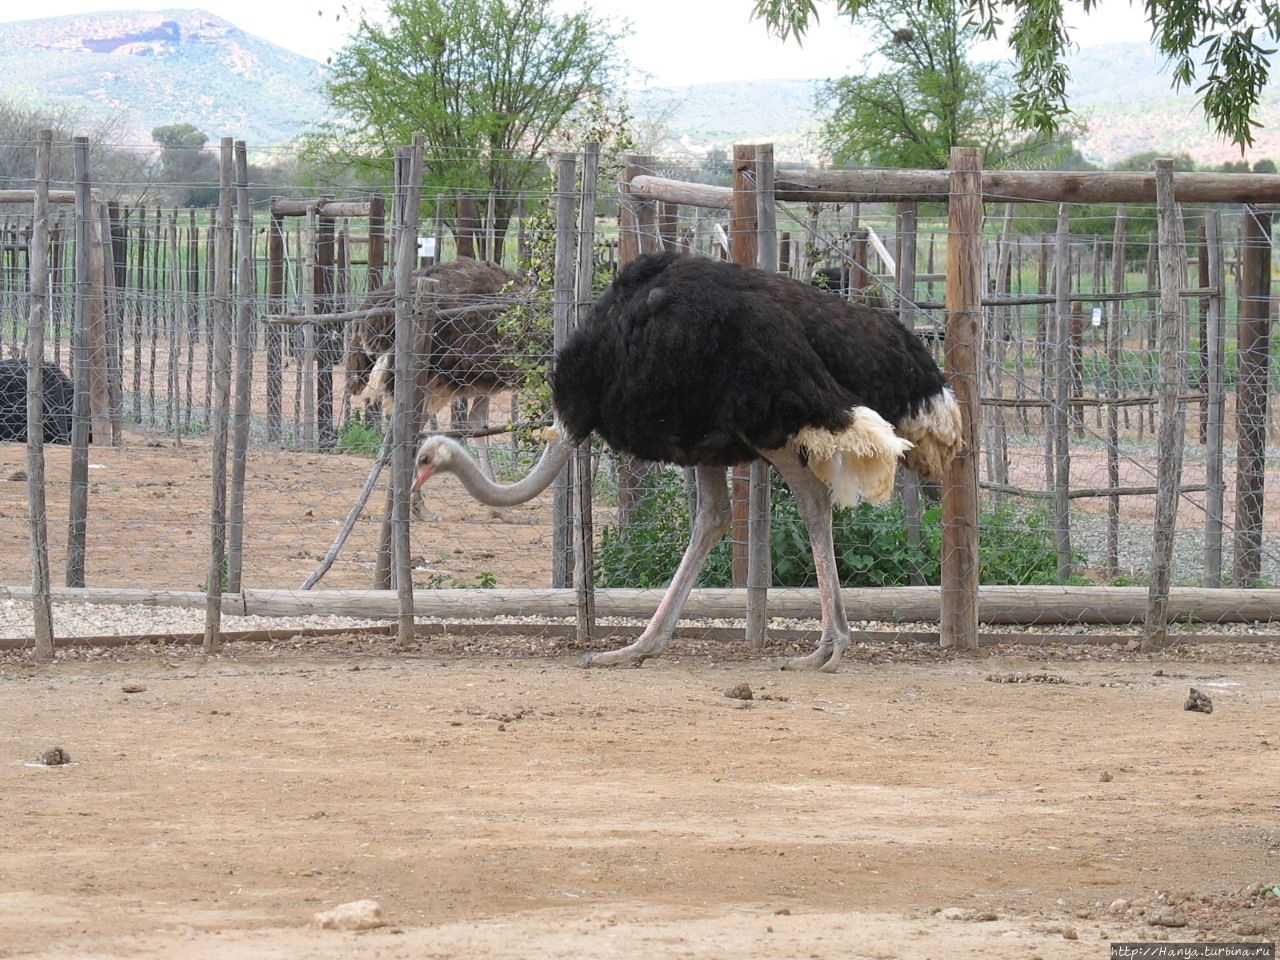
{"x": 706, "y": 364}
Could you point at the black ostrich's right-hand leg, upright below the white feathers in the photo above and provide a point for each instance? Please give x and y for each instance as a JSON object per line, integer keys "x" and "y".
{"x": 813, "y": 502}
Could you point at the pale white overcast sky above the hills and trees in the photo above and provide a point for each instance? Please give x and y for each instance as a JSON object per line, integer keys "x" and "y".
{"x": 673, "y": 43}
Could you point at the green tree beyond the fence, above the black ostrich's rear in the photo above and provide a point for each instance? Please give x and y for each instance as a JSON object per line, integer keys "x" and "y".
{"x": 920, "y": 95}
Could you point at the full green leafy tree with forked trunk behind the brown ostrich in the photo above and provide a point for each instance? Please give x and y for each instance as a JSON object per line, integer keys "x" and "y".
{"x": 488, "y": 84}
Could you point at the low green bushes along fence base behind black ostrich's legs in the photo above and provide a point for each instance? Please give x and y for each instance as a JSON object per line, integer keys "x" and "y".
{"x": 872, "y": 546}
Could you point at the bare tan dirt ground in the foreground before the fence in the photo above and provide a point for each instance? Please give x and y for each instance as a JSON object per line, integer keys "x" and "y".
{"x": 499, "y": 802}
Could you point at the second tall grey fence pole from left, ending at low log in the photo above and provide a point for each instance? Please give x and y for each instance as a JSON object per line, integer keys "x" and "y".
{"x": 81, "y": 376}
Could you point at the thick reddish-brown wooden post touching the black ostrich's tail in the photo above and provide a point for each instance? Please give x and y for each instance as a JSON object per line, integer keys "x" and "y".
{"x": 959, "y": 614}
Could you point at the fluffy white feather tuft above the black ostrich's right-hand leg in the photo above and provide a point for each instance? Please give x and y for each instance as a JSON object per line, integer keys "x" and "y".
{"x": 857, "y": 463}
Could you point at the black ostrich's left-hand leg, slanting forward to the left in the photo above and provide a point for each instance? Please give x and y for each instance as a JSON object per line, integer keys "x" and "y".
{"x": 711, "y": 524}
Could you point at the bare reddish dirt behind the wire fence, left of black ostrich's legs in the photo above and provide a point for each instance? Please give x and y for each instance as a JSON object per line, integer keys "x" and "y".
{"x": 149, "y": 522}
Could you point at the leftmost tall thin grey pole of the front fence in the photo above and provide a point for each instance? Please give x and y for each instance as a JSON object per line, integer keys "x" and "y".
{"x": 42, "y": 596}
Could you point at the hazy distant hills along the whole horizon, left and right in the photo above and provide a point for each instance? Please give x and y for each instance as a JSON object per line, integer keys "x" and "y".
{"x": 148, "y": 70}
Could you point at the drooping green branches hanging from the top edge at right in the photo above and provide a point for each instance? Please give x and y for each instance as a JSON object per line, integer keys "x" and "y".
{"x": 1220, "y": 45}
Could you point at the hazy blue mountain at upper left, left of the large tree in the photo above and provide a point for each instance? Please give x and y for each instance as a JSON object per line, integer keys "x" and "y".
{"x": 147, "y": 70}
